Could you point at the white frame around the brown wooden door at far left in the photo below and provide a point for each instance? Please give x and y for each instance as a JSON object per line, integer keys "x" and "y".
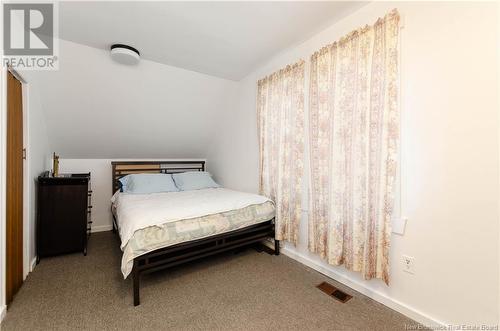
{"x": 27, "y": 185}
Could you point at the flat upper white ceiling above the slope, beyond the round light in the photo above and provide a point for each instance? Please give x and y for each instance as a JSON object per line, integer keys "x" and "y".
{"x": 223, "y": 39}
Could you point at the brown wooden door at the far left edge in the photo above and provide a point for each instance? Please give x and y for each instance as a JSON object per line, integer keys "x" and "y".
{"x": 14, "y": 233}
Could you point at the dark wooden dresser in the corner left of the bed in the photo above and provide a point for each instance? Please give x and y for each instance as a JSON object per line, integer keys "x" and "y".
{"x": 63, "y": 214}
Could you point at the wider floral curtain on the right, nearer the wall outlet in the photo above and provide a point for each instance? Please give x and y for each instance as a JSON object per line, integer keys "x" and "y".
{"x": 354, "y": 134}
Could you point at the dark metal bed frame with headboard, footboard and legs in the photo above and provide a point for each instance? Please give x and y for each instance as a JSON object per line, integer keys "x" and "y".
{"x": 192, "y": 250}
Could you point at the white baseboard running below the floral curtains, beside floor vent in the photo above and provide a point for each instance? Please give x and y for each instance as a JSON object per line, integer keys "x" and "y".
{"x": 357, "y": 286}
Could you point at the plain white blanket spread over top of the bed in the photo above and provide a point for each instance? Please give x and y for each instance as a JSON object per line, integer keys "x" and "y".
{"x": 139, "y": 211}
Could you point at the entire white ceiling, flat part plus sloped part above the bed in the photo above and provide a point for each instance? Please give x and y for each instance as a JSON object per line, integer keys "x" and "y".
{"x": 170, "y": 104}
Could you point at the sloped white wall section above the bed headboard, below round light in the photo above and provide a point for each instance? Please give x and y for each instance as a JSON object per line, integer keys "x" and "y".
{"x": 97, "y": 108}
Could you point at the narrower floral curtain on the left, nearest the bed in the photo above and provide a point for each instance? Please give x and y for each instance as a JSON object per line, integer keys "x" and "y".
{"x": 280, "y": 111}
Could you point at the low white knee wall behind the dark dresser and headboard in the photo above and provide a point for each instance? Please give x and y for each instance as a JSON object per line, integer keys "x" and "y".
{"x": 101, "y": 186}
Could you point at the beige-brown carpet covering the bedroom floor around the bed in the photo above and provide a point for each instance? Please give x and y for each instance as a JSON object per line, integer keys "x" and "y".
{"x": 244, "y": 291}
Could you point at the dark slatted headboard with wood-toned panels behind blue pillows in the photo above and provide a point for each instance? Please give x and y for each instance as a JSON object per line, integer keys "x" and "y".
{"x": 123, "y": 168}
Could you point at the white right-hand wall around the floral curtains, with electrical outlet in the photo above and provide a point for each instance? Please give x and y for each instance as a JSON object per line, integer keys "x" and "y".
{"x": 451, "y": 160}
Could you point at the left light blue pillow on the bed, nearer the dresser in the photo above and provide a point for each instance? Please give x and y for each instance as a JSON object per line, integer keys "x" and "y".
{"x": 148, "y": 183}
